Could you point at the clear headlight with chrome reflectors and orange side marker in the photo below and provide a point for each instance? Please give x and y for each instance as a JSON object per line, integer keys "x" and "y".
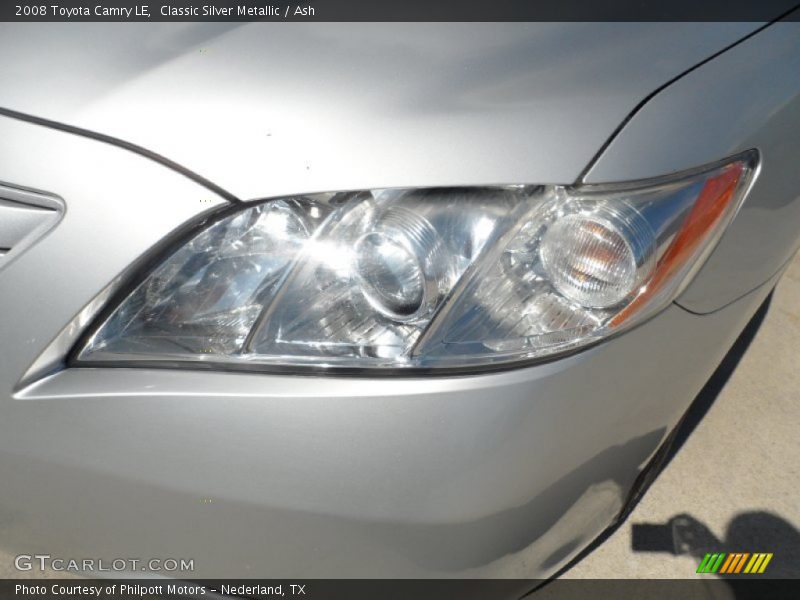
{"x": 423, "y": 278}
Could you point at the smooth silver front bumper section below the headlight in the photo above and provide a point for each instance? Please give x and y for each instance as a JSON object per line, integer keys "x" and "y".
{"x": 508, "y": 474}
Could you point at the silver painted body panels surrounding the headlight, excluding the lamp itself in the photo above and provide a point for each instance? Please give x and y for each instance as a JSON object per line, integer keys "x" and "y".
{"x": 499, "y": 474}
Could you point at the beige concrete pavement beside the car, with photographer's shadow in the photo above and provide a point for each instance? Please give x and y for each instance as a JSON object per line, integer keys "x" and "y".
{"x": 734, "y": 483}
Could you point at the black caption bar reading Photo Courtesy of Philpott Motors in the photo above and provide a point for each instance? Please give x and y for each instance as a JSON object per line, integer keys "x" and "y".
{"x": 700, "y": 588}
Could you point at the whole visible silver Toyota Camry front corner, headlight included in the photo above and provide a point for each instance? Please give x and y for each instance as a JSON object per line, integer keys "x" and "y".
{"x": 400, "y": 300}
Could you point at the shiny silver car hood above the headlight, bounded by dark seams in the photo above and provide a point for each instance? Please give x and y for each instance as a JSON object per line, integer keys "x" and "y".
{"x": 263, "y": 109}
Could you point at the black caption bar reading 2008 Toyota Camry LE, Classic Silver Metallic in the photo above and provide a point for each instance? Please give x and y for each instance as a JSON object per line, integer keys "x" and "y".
{"x": 399, "y": 10}
